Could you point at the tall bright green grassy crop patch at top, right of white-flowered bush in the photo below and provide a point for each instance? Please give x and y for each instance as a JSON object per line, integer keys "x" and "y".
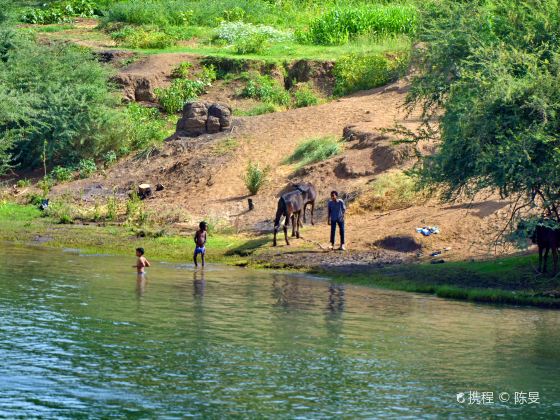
{"x": 337, "y": 26}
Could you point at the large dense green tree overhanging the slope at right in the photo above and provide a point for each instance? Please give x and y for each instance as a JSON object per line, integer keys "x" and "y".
{"x": 493, "y": 67}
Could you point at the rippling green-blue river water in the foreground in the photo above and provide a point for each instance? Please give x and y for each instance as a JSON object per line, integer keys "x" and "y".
{"x": 80, "y": 338}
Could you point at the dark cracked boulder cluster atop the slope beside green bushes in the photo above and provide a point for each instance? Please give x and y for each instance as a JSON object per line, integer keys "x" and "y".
{"x": 203, "y": 118}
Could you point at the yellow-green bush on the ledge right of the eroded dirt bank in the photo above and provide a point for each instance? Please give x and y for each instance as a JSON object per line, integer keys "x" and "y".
{"x": 359, "y": 72}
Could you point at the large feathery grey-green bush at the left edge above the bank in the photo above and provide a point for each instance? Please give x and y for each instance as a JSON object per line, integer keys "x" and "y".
{"x": 67, "y": 107}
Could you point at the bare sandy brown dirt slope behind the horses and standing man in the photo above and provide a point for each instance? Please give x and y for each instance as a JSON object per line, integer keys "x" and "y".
{"x": 203, "y": 177}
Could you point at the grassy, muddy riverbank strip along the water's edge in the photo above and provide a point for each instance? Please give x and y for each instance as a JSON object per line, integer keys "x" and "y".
{"x": 510, "y": 280}
